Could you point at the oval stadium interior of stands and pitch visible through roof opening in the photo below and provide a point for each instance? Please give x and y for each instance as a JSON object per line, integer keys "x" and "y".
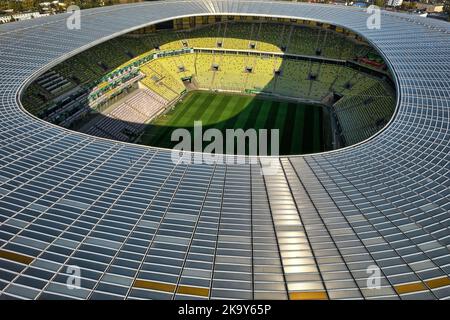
{"x": 323, "y": 87}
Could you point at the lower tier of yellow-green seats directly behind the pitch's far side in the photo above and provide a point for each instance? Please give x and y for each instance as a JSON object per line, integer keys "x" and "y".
{"x": 295, "y": 78}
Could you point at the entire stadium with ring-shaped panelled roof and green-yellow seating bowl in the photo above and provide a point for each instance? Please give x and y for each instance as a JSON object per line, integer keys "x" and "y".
{"x": 87, "y": 180}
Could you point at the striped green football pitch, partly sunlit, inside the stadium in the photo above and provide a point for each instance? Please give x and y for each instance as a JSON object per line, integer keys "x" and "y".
{"x": 303, "y": 128}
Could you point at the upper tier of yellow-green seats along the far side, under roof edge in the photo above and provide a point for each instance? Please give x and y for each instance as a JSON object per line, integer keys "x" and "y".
{"x": 271, "y": 37}
